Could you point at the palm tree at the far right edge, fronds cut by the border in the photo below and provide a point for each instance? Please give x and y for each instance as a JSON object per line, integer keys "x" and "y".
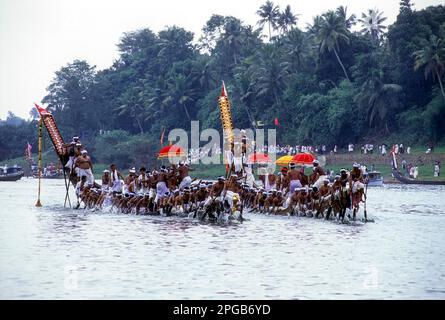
{"x": 432, "y": 57}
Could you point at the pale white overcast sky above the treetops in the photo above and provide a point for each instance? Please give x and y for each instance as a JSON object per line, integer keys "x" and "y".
{"x": 37, "y": 37}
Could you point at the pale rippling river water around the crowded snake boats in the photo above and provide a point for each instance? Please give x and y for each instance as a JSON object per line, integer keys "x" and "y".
{"x": 57, "y": 253}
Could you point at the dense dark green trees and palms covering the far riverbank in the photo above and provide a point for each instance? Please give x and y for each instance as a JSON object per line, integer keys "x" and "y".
{"x": 326, "y": 85}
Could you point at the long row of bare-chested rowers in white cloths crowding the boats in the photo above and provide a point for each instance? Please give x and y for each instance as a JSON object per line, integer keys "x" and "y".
{"x": 171, "y": 191}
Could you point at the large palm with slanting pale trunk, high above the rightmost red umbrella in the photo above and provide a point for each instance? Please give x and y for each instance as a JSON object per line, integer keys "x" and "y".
{"x": 332, "y": 32}
